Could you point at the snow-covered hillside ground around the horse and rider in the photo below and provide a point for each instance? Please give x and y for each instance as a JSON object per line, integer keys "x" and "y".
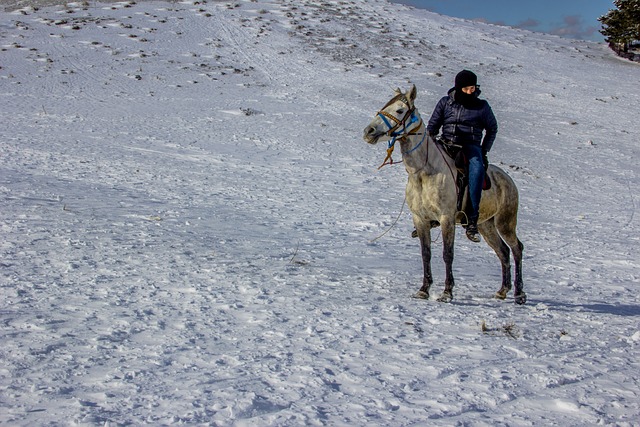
{"x": 188, "y": 212}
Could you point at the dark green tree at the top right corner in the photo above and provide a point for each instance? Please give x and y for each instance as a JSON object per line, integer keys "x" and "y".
{"x": 621, "y": 26}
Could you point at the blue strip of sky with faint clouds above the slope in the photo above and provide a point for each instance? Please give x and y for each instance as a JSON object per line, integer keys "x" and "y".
{"x": 567, "y": 18}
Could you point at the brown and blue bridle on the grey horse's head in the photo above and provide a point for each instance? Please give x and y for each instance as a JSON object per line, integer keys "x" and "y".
{"x": 402, "y": 128}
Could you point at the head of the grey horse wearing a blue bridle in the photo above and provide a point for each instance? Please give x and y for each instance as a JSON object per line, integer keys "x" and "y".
{"x": 393, "y": 119}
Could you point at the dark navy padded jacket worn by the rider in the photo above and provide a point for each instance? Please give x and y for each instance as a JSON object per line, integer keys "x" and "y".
{"x": 464, "y": 124}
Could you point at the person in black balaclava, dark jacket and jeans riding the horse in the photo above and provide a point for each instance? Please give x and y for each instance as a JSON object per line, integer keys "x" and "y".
{"x": 463, "y": 117}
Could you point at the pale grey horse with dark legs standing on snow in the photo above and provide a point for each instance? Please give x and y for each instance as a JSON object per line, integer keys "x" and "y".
{"x": 431, "y": 195}
